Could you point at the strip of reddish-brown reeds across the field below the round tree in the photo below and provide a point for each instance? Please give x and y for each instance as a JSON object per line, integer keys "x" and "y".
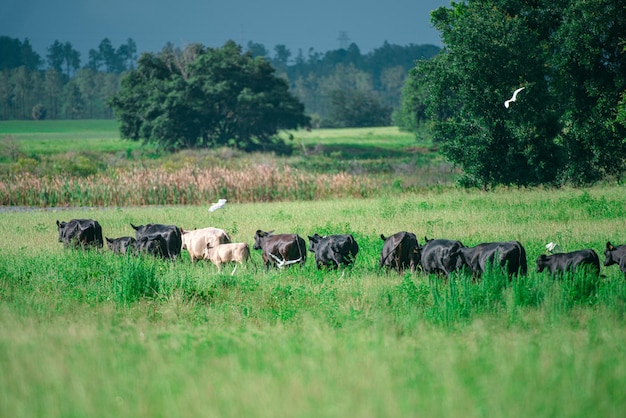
{"x": 185, "y": 186}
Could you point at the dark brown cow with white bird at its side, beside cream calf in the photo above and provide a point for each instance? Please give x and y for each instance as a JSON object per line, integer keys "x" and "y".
{"x": 281, "y": 249}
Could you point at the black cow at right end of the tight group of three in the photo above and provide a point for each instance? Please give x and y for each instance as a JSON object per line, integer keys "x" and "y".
{"x": 511, "y": 256}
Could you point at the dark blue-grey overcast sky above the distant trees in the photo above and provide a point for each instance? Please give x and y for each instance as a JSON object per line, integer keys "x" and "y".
{"x": 297, "y": 24}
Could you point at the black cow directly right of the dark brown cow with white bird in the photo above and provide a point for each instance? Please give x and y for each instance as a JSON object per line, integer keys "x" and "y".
{"x": 333, "y": 250}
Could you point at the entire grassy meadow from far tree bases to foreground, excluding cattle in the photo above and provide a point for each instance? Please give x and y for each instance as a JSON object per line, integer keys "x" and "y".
{"x": 90, "y": 333}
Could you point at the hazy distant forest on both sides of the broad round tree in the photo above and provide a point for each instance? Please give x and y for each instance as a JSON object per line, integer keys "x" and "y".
{"x": 339, "y": 88}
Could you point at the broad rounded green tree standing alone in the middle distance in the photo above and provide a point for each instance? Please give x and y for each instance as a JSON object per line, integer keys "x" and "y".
{"x": 206, "y": 97}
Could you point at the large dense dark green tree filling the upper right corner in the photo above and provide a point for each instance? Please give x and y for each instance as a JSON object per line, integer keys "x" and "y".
{"x": 565, "y": 125}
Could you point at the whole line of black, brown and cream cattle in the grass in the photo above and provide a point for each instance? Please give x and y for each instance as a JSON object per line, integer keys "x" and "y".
{"x": 400, "y": 251}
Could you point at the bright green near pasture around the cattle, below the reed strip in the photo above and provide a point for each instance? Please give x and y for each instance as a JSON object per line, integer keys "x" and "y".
{"x": 94, "y": 334}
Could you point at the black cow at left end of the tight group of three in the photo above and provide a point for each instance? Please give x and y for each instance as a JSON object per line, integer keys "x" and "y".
{"x": 400, "y": 251}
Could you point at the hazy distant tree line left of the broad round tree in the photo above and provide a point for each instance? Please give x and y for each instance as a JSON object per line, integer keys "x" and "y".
{"x": 57, "y": 87}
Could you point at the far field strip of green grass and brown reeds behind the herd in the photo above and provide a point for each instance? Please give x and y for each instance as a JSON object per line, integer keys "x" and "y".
{"x": 84, "y": 163}
